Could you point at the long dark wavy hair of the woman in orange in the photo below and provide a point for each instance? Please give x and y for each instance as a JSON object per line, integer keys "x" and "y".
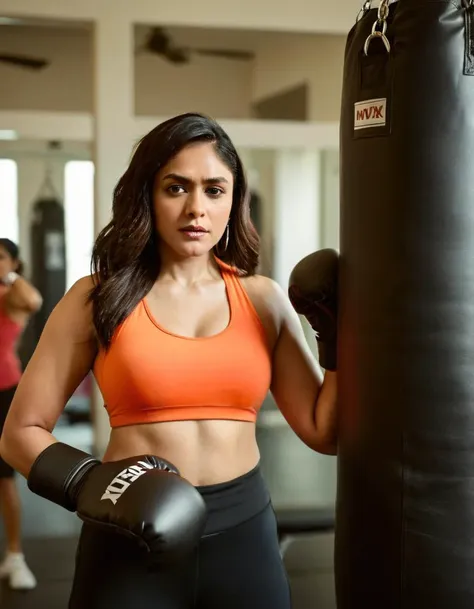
{"x": 125, "y": 258}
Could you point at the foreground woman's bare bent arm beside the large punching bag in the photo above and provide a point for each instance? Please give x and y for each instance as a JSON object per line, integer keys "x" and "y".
{"x": 307, "y": 400}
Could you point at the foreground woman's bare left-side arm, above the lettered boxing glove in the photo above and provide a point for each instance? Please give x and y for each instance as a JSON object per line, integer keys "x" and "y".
{"x": 63, "y": 357}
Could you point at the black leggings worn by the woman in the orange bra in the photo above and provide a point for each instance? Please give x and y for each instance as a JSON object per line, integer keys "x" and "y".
{"x": 237, "y": 564}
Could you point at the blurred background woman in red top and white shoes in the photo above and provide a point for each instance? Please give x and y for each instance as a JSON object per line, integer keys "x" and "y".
{"x": 18, "y": 301}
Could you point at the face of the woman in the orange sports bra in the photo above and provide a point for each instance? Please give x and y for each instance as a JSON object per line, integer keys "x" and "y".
{"x": 192, "y": 201}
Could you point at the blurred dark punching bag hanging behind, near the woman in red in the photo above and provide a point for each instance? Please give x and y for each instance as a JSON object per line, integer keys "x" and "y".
{"x": 48, "y": 257}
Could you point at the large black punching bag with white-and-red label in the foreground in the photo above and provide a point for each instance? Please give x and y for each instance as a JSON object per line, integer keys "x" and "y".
{"x": 405, "y": 505}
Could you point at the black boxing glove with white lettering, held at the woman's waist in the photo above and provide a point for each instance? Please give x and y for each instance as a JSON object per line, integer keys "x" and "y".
{"x": 142, "y": 497}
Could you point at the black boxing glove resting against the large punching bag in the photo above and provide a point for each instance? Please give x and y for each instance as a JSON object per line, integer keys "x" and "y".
{"x": 313, "y": 293}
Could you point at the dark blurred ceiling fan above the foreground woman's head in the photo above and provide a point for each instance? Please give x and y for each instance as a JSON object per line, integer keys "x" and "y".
{"x": 159, "y": 43}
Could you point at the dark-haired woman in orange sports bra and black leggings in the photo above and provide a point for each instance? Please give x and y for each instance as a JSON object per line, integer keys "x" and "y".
{"x": 184, "y": 340}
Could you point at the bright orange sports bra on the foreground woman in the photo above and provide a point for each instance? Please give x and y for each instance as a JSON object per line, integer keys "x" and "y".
{"x": 151, "y": 375}
